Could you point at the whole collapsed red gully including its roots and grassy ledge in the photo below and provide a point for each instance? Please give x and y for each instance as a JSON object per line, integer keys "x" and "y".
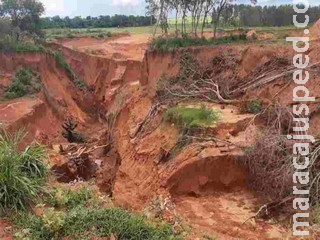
{"x": 138, "y": 152}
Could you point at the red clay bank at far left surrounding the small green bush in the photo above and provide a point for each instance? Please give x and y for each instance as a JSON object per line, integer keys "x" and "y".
{"x": 42, "y": 115}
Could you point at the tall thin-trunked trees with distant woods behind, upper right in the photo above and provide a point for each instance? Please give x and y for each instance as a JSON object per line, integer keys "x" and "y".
{"x": 203, "y": 13}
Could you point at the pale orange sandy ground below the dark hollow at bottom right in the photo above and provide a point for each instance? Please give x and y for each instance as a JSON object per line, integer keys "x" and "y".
{"x": 224, "y": 215}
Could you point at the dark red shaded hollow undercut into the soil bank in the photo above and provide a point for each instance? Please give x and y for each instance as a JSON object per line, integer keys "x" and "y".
{"x": 207, "y": 175}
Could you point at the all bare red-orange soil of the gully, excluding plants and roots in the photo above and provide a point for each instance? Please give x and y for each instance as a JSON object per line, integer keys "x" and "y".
{"x": 205, "y": 179}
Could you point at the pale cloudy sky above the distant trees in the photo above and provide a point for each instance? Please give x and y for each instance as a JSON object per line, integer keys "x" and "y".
{"x": 110, "y": 7}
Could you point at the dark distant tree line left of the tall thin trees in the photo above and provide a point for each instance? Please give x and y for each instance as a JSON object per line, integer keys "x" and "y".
{"x": 96, "y": 22}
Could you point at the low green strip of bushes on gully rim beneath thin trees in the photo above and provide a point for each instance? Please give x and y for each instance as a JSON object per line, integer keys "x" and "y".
{"x": 167, "y": 44}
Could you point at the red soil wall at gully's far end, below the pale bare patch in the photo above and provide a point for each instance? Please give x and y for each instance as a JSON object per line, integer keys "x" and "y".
{"x": 101, "y": 74}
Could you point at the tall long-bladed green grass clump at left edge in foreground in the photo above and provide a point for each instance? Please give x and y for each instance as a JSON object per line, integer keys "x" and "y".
{"x": 22, "y": 174}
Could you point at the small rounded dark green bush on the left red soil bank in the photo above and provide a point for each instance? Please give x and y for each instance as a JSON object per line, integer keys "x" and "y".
{"x": 25, "y": 82}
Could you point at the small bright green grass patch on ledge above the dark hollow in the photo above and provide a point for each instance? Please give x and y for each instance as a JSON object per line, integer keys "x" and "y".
{"x": 191, "y": 117}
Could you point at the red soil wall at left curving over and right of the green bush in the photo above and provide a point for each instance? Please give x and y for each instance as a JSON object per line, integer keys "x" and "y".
{"x": 59, "y": 91}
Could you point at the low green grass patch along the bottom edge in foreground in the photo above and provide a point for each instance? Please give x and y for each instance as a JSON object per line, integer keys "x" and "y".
{"x": 84, "y": 223}
